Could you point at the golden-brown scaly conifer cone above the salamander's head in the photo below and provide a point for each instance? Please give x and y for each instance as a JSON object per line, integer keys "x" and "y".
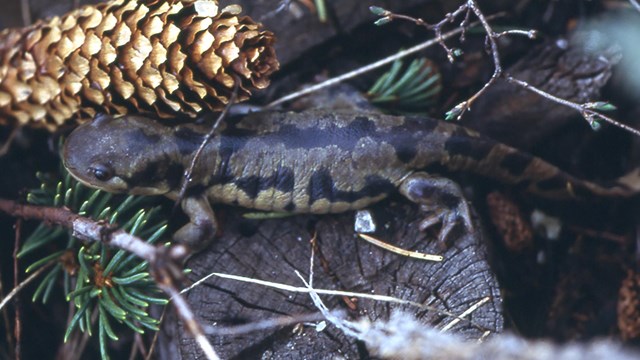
{"x": 165, "y": 57}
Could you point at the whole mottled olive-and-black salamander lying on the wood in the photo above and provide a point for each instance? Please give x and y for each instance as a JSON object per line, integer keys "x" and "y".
{"x": 309, "y": 162}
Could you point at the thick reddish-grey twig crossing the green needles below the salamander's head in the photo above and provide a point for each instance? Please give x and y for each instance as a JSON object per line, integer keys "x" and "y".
{"x": 162, "y": 261}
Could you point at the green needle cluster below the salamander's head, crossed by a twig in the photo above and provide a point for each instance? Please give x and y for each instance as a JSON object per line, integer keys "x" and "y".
{"x": 98, "y": 279}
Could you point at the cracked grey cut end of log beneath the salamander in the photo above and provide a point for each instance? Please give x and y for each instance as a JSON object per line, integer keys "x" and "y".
{"x": 280, "y": 246}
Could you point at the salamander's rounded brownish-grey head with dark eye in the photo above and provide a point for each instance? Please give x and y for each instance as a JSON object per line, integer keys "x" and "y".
{"x": 120, "y": 155}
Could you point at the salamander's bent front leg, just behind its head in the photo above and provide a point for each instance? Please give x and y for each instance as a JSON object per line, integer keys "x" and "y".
{"x": 201, "y": 229}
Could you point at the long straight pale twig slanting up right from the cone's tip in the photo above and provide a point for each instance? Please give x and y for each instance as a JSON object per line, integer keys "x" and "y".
{"x": 382, "y": 62}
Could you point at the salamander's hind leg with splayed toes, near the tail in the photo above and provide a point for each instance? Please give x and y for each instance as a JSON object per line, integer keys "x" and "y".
{"x": 441, "y": 199}
